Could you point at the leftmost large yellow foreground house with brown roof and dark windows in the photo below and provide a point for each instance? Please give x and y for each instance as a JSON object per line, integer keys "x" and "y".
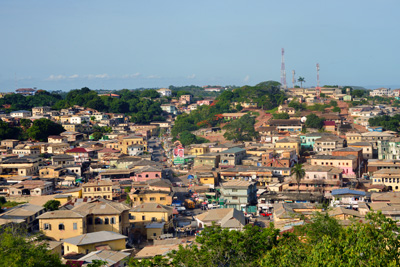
{"x": 62, "y": 224}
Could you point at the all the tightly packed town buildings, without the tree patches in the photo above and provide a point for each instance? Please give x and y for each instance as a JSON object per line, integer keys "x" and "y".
{"x": 135, "y": 193}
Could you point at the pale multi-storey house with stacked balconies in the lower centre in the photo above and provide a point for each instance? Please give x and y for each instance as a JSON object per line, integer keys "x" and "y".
{"x": 239, "y": 194}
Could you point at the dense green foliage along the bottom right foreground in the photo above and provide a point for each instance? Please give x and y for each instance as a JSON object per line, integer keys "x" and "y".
{"x": 322, "y": 242}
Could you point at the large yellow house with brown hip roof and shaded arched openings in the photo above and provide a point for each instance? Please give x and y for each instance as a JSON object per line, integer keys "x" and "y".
{"x": 105, "y": 215}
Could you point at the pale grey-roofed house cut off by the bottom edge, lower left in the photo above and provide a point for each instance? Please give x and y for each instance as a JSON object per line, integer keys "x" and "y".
{"x": 112, "y": 258}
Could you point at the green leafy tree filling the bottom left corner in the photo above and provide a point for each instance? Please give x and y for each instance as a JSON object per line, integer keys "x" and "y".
{"x": 17, "y": 249}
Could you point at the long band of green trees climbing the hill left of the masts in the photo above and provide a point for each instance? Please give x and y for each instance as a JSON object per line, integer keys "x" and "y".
{"x": 267, "y": 95}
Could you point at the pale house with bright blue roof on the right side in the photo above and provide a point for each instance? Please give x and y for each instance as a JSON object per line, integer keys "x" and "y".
{"x": 346, "y": 197}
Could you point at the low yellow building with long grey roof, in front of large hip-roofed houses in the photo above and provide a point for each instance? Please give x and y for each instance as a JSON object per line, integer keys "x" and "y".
{"x": 90, "y": 242}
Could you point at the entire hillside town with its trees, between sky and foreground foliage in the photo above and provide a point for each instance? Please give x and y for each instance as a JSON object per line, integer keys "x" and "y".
{"x": 109, "y": 186}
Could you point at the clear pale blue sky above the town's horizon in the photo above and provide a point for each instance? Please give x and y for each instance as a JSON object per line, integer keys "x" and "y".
{"x": 63, "y": 45}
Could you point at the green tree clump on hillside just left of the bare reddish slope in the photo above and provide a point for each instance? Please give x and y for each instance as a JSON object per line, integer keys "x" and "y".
{"x": 241, "y": 129}
